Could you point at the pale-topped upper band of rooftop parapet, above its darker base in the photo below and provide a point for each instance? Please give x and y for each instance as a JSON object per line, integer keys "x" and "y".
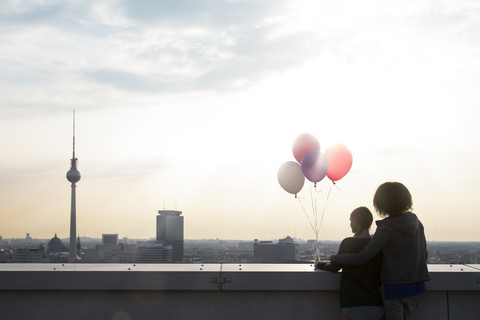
{"x": 205, "y": 277}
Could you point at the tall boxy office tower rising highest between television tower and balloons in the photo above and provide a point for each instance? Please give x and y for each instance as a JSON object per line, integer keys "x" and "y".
{"x": 170, "y": 231}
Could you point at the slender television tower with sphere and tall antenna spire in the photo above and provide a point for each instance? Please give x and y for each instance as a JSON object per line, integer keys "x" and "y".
{"x": 73, "y": 175}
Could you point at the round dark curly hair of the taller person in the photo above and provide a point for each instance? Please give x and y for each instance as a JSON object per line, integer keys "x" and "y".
{"x": 392, "y": 199}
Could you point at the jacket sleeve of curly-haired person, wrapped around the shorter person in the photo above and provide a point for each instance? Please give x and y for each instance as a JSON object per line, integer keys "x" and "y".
{"x": 376, "y": 244}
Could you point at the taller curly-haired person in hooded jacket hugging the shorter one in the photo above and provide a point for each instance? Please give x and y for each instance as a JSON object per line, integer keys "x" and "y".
{"x": 400, "y": 237}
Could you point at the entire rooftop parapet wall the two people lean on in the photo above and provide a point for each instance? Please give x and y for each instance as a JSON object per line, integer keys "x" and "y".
{"x": 207, "y": 291}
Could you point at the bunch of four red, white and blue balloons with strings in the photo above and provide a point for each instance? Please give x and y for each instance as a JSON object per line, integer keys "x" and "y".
{"x": 313, "y": 165}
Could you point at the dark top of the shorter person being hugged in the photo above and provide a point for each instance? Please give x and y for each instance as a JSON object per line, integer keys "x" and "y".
{"x": 359, "y": 285}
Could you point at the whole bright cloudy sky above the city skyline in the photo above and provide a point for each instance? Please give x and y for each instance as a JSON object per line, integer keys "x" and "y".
{"x": 194, "y": 105}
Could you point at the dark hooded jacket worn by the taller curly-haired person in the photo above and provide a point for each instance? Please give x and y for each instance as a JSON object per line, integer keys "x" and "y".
{"x": 404, "y": 248}
